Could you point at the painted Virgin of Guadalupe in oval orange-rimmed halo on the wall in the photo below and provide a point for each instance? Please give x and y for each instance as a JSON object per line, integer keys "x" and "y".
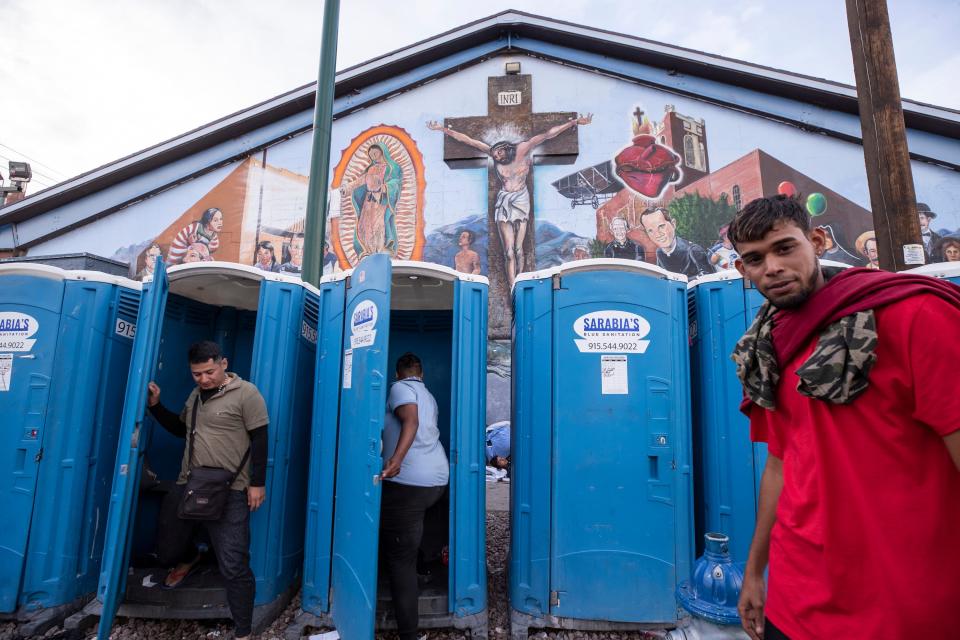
{"x": 380, "y": 184}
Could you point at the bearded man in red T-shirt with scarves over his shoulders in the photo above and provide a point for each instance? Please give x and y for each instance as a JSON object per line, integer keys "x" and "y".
{"x": 850, "y": 378}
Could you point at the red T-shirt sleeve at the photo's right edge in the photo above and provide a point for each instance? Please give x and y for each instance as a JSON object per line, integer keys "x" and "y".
{"x": 934, "y": 348}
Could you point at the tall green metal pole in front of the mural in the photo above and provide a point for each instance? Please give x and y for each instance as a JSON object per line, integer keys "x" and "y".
{"x": 317, "y": 202}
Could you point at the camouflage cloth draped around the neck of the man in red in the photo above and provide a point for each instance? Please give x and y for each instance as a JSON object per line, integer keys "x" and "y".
{"x": 835, "y": 372}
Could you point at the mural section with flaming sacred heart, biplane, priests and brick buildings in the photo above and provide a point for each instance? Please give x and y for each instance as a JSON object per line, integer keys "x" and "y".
{"x": 672, "y": 210}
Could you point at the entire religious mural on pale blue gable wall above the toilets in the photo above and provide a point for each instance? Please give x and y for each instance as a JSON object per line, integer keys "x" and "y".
{"x": 652, "y": 176}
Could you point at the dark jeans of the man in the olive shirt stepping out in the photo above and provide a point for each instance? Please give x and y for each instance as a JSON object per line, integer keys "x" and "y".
{"x": 230, "y": 539}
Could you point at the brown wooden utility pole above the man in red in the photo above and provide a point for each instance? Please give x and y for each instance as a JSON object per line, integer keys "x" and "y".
{"x": 892, "y": 196}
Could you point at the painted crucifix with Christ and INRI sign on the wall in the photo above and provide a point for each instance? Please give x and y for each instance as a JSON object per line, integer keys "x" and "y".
{"x": 510, "y": 139}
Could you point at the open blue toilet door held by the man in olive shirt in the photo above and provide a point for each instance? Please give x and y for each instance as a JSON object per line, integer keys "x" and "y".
{"x": 126, "y": 474}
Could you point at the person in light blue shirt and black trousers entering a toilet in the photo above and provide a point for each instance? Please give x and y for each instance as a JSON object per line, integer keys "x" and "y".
{"x": 415, "y": 473}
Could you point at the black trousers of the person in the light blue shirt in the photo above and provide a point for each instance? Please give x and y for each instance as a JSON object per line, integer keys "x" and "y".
{"x": 402, "y": 510}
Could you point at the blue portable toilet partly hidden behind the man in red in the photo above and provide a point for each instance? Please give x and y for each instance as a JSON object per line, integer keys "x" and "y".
{"x": 728, "y": 466}
